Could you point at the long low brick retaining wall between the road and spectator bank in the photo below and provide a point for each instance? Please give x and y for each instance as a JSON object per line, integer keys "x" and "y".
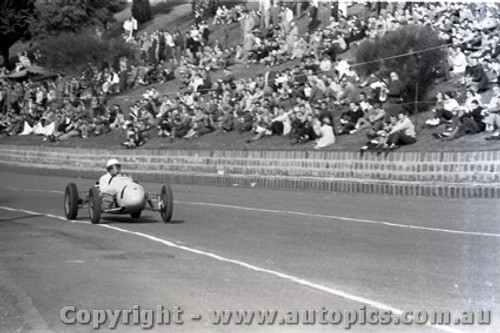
{"x": 449, "y": 174}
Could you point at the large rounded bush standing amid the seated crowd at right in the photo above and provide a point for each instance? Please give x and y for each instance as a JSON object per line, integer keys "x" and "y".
{"x": 398, "y": 51}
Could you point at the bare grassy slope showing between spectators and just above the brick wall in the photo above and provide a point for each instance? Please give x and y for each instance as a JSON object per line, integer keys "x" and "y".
{"x": 180, "y": 17}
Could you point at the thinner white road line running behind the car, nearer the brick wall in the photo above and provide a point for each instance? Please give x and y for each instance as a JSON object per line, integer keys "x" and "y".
{"x": 331, "y": 217}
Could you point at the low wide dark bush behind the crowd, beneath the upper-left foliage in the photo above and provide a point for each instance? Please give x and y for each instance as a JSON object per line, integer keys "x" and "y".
{"x": 72, "y": 51}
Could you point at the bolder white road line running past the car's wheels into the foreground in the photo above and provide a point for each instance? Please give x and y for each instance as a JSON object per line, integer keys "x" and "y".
{"x": 291, "y": 278}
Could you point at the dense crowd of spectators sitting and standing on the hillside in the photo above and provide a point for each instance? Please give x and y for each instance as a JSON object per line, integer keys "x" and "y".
{"x": 316, "y": 98}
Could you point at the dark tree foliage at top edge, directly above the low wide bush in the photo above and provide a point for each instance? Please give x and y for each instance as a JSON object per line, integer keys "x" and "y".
{"x": 62, "y": 16}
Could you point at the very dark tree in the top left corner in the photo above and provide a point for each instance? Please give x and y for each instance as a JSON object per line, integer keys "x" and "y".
{"x": 14, "y": 23}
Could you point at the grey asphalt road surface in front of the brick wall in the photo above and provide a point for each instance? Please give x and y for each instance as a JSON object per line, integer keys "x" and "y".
{"x": 245, "y": 249}
